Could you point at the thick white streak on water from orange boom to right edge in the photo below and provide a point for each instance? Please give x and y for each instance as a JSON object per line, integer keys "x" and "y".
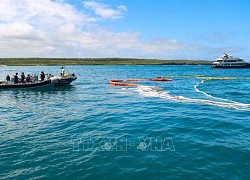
{"x": 152, "y": 91}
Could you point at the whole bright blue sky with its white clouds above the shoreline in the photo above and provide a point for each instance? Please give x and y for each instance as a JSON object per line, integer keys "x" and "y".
{"x": 163, "y": 29}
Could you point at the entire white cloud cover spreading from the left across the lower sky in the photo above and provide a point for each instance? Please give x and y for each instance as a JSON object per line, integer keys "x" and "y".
{"x": 35, "y": 28}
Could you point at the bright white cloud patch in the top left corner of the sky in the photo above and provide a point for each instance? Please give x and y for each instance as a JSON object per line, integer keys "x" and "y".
{"x": 37, "y": 11}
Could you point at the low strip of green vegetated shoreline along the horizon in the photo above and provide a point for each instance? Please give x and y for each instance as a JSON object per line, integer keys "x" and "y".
{"x": 95, "y": 61}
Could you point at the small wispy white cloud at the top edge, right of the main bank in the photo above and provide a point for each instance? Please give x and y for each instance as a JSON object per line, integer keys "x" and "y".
{"x": 105, "y": 11}
